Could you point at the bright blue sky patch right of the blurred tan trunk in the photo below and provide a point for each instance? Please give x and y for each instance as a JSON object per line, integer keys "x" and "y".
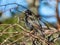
{"x": 46, "y": 10}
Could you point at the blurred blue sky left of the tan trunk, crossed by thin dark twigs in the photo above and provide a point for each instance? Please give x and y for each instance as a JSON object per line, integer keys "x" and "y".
{"x": 7, "y": 14}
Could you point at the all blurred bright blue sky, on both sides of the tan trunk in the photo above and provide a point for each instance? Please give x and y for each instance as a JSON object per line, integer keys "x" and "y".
{"x": 44, "y": 10}
